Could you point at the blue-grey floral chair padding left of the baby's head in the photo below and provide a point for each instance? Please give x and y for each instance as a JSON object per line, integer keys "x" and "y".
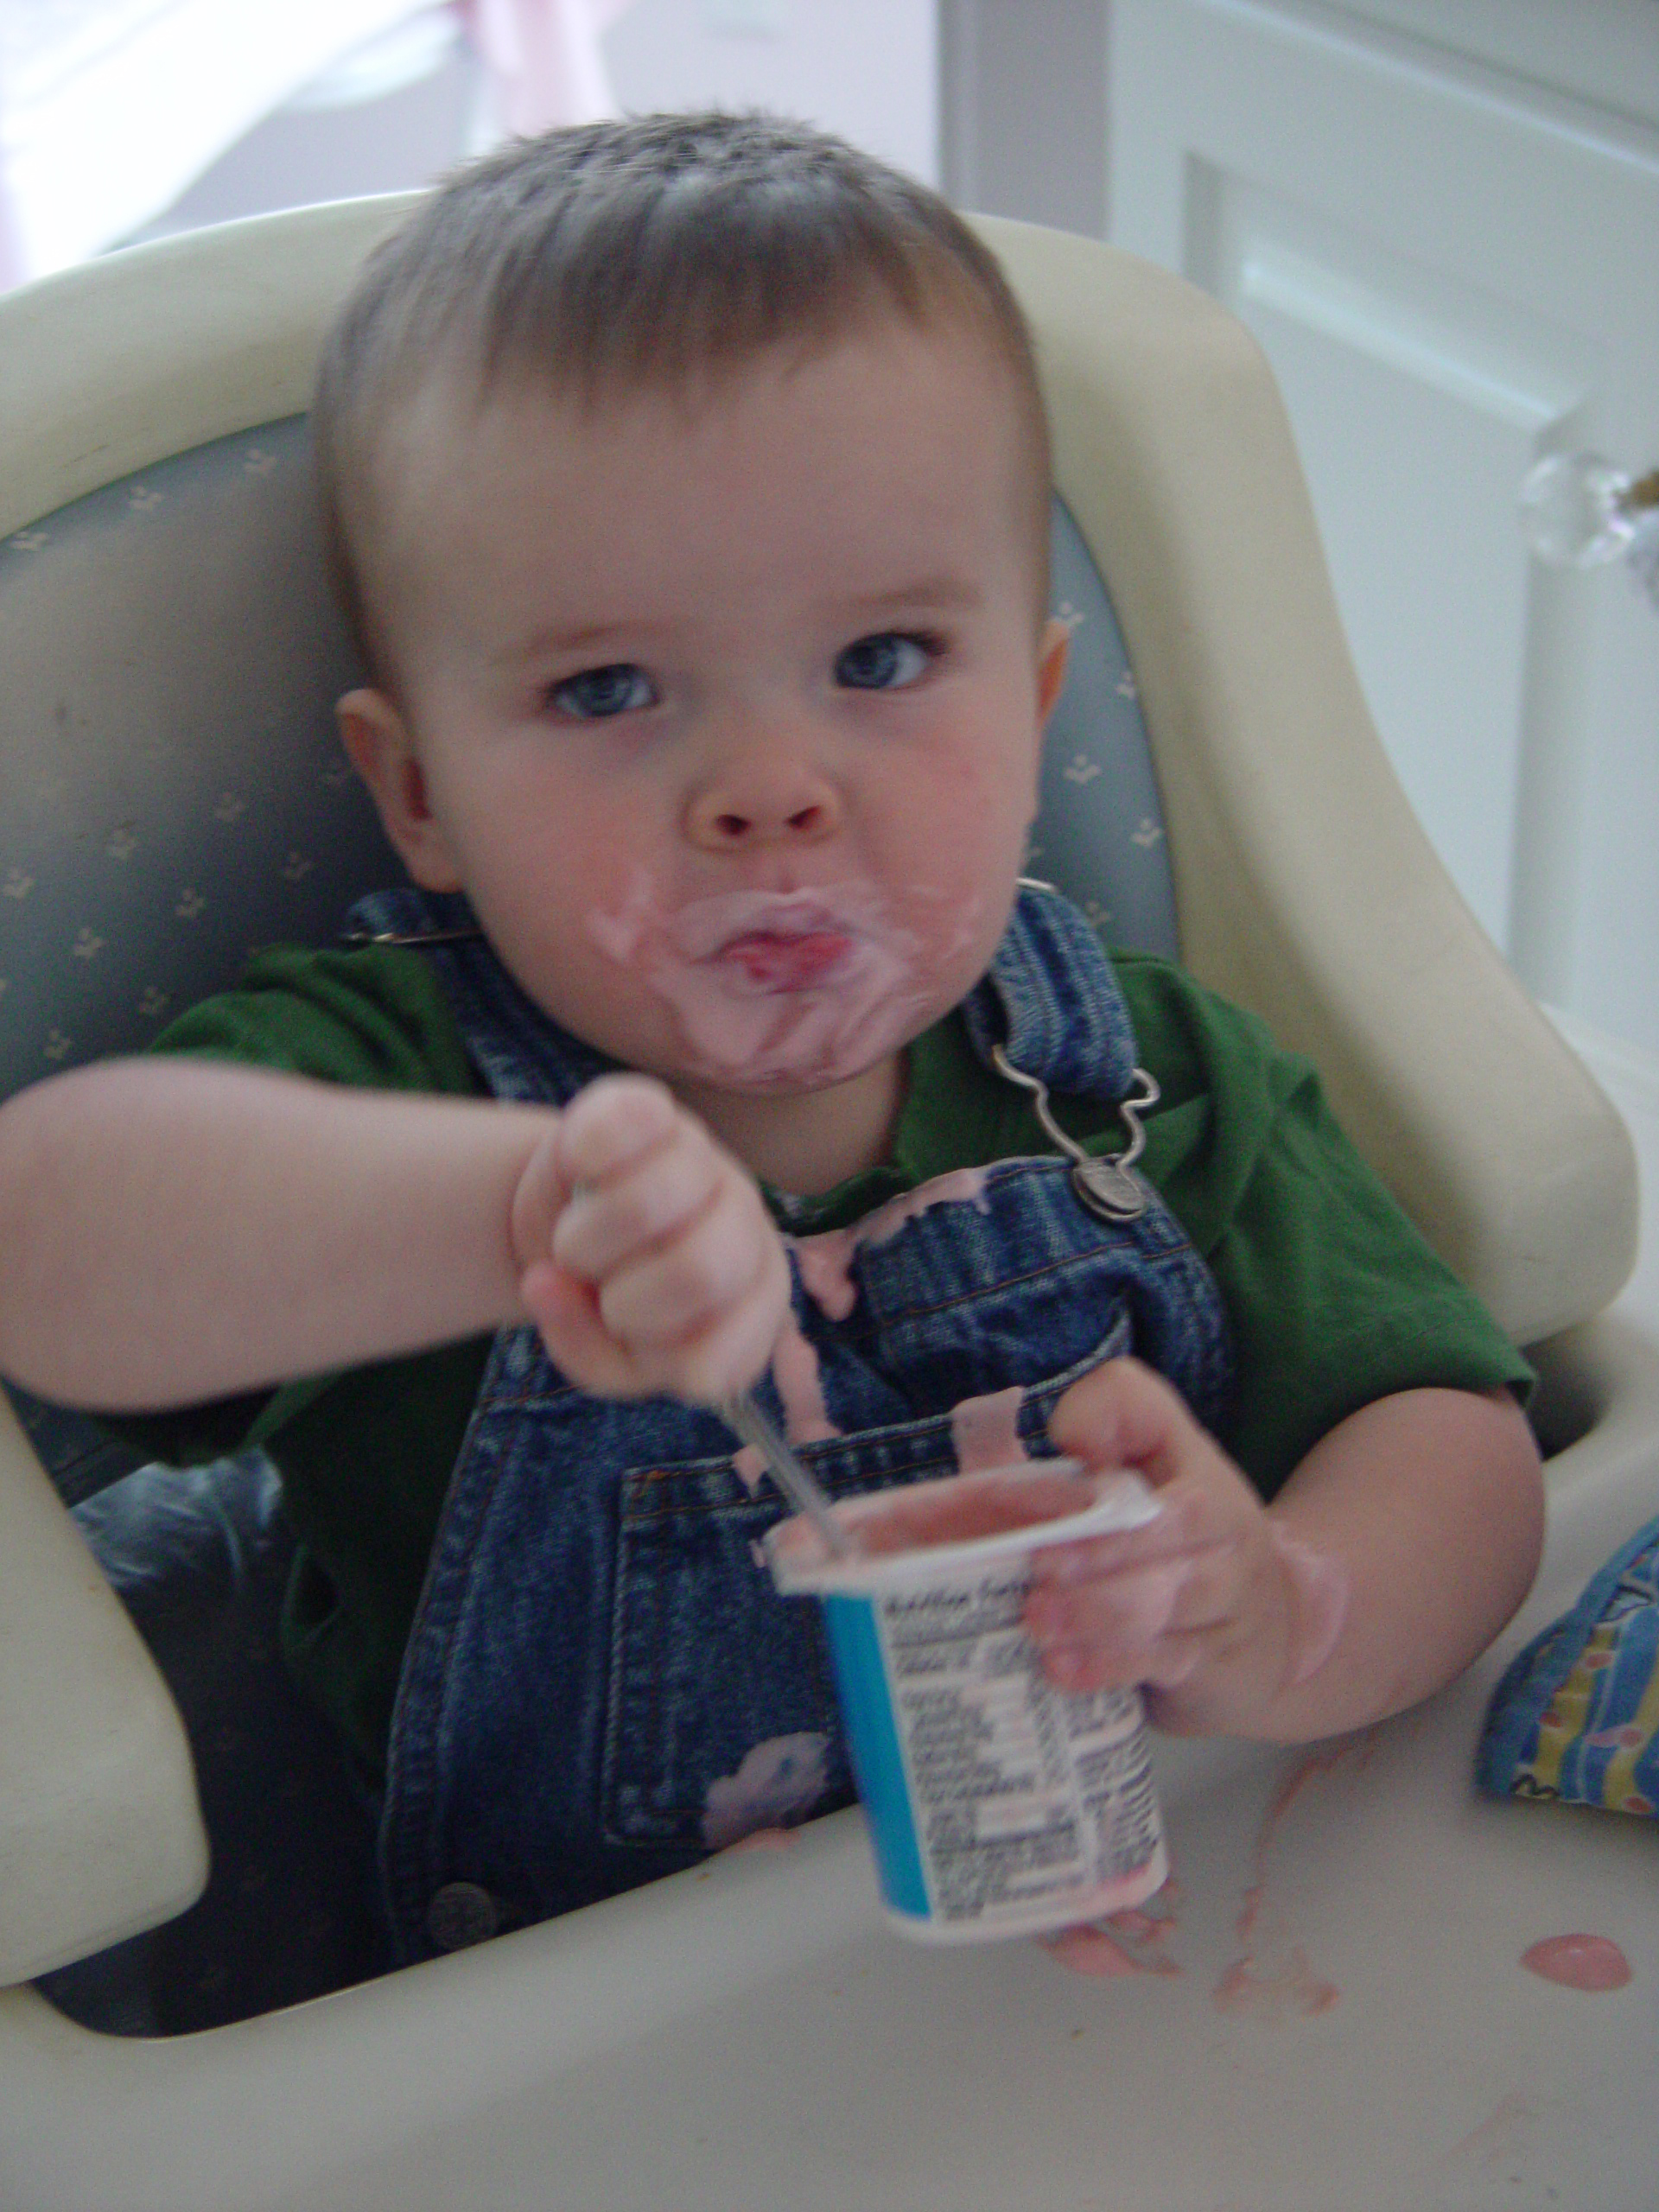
{"x": 171, "y": 784}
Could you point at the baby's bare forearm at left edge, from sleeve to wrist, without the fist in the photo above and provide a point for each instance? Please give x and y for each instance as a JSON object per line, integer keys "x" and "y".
{"x": 176, "y": 1231}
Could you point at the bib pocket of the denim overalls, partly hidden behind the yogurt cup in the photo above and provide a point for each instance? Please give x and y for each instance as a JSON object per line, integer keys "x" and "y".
{"x": 722, "y": 1711}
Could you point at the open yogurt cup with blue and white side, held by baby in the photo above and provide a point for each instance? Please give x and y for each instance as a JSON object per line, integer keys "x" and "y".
{"x": 997, "y": 1804}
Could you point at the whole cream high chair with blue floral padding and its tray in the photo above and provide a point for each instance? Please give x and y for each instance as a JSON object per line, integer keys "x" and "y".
{"x": 749, "y": 2032}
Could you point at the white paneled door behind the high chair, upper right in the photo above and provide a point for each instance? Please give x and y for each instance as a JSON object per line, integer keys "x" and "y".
{"x": 1454, "y": 273}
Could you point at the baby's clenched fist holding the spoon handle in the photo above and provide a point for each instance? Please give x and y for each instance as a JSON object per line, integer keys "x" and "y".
{"x": 647, "y": 1253}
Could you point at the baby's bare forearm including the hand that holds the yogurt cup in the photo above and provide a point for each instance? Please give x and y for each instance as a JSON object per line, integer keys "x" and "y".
{"x": 1388, "y": 1563}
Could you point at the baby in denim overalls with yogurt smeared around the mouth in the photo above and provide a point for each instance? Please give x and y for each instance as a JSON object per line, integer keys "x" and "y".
{"x": 689, "y": 490}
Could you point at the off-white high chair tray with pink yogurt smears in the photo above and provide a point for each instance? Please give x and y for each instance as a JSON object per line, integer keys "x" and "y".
{"x": 1331, "y": 2010}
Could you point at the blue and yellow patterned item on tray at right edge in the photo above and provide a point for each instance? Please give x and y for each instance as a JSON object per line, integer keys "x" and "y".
{"x": 1576, "y": 1718}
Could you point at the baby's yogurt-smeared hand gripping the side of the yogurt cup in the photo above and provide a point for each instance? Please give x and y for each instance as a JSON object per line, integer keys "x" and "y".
{"x": 1211, "y": 1607}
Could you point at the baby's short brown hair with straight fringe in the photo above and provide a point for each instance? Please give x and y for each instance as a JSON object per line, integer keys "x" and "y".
{"x": 647, "y": 255}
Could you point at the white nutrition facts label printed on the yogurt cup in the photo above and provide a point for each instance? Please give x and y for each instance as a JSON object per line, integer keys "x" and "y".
{"x": 1021, "y": 1793}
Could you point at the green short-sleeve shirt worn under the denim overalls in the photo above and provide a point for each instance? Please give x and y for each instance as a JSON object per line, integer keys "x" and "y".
{"x": 1333, "y": 1297}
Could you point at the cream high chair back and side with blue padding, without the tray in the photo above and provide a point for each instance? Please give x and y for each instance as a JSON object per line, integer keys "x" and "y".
{"x": 171, "y": 793}
